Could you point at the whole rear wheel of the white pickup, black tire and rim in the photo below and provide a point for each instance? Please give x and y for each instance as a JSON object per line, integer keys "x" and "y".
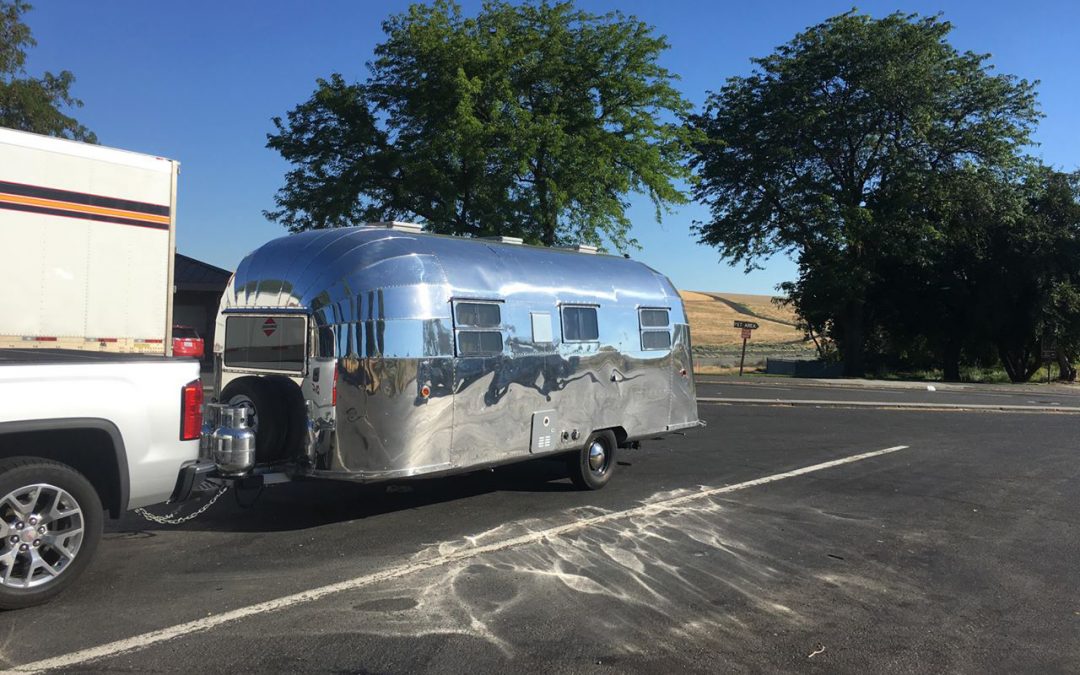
{"x": 51, "y": 521}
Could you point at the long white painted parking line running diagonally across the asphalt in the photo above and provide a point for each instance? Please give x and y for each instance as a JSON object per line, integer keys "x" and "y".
{"x": 199, "y": 626}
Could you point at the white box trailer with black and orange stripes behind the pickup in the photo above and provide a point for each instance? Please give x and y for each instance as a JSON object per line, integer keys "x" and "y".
{"x": 87, "y": 246}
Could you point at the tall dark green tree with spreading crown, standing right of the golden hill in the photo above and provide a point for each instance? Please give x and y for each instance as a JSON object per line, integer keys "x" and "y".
{"x": 821, "y": 148}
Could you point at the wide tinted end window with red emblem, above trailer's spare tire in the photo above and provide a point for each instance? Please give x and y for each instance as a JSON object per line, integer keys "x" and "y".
{"x": 266, "y": 343}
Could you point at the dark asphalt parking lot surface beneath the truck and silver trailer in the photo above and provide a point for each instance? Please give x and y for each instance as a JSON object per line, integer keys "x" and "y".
{"x": 779, "y": 538}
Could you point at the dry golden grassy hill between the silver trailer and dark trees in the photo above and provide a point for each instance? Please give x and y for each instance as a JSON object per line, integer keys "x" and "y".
{"x": 712, "y": 317}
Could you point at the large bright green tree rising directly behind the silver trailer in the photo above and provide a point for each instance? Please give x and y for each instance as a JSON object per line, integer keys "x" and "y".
{"x": 535, "y": 120}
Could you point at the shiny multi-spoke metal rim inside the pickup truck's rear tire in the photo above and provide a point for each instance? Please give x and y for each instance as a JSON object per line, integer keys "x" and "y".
{"x": 42, "y": 531}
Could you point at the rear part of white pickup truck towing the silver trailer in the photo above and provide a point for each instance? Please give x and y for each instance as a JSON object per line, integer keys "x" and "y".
{"x": 83, "y": 434}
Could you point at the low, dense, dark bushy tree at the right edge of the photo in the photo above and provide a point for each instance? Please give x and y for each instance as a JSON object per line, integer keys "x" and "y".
{"x": 994, "y": 279}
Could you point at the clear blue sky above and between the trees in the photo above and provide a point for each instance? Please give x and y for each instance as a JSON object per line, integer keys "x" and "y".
{"x": 199, "y": 82}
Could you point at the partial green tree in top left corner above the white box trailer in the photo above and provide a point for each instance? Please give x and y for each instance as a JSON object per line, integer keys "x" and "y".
{"x": 33, "y": 104}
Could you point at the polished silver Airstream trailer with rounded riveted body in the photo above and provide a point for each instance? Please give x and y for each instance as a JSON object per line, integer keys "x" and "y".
{"x": 382, "y": 353}
